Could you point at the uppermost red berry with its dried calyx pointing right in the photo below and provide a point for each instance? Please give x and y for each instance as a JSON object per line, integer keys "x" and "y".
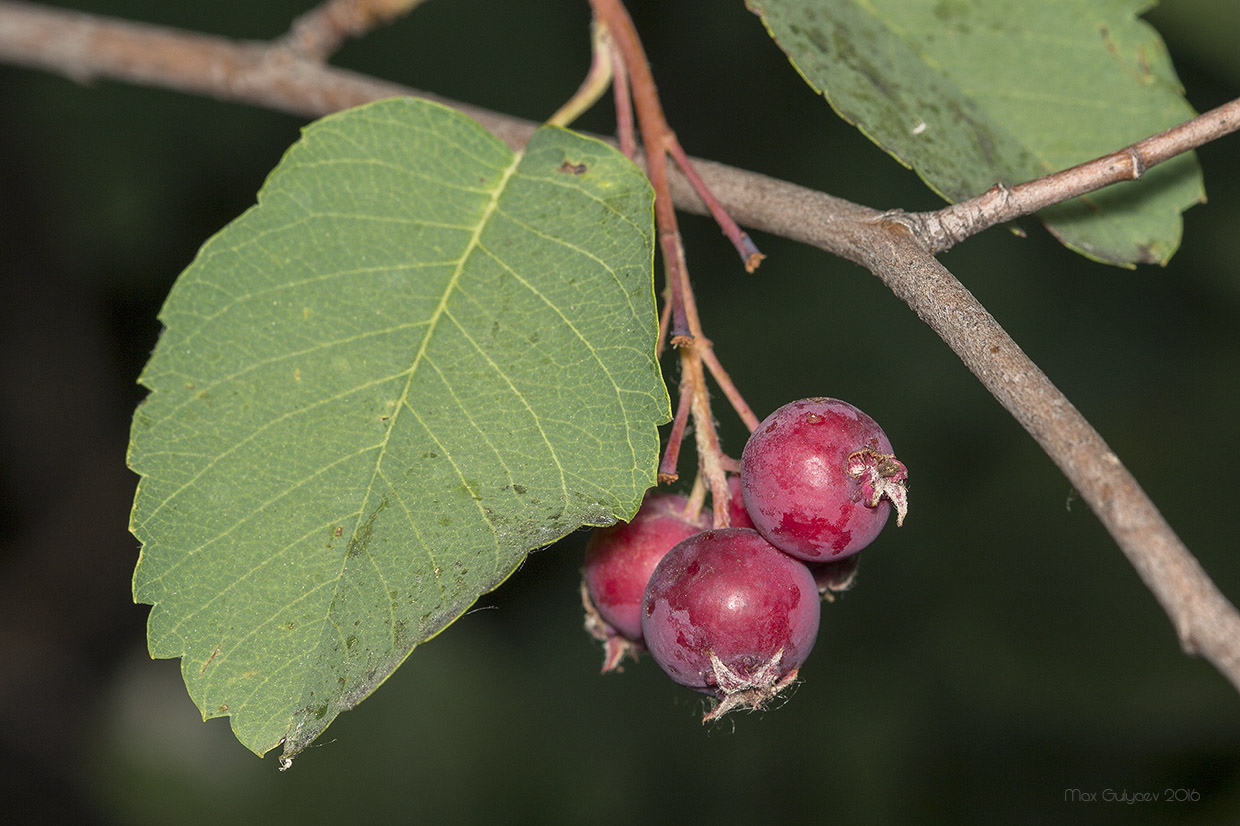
{"x": 820, "y": 479}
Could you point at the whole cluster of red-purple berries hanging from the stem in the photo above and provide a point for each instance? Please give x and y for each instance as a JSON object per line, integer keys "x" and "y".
{"x": 733, "y": 611}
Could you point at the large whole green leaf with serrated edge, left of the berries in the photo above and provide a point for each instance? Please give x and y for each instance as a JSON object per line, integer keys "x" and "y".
{"x": 417, "y": 359}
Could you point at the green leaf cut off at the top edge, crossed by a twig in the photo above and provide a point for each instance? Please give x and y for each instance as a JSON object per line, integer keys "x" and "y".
{"x": 975, "y": 92}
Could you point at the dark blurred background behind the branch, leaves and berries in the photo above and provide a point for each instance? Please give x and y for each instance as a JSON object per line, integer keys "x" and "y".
{"x": 998, "y": 652}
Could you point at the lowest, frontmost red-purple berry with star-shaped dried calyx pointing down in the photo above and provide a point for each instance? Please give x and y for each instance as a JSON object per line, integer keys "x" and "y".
{"x": 731, "y": 616}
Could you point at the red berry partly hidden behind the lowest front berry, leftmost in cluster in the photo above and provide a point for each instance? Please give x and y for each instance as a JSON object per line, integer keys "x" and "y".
{"x": 619, "y": 561}
